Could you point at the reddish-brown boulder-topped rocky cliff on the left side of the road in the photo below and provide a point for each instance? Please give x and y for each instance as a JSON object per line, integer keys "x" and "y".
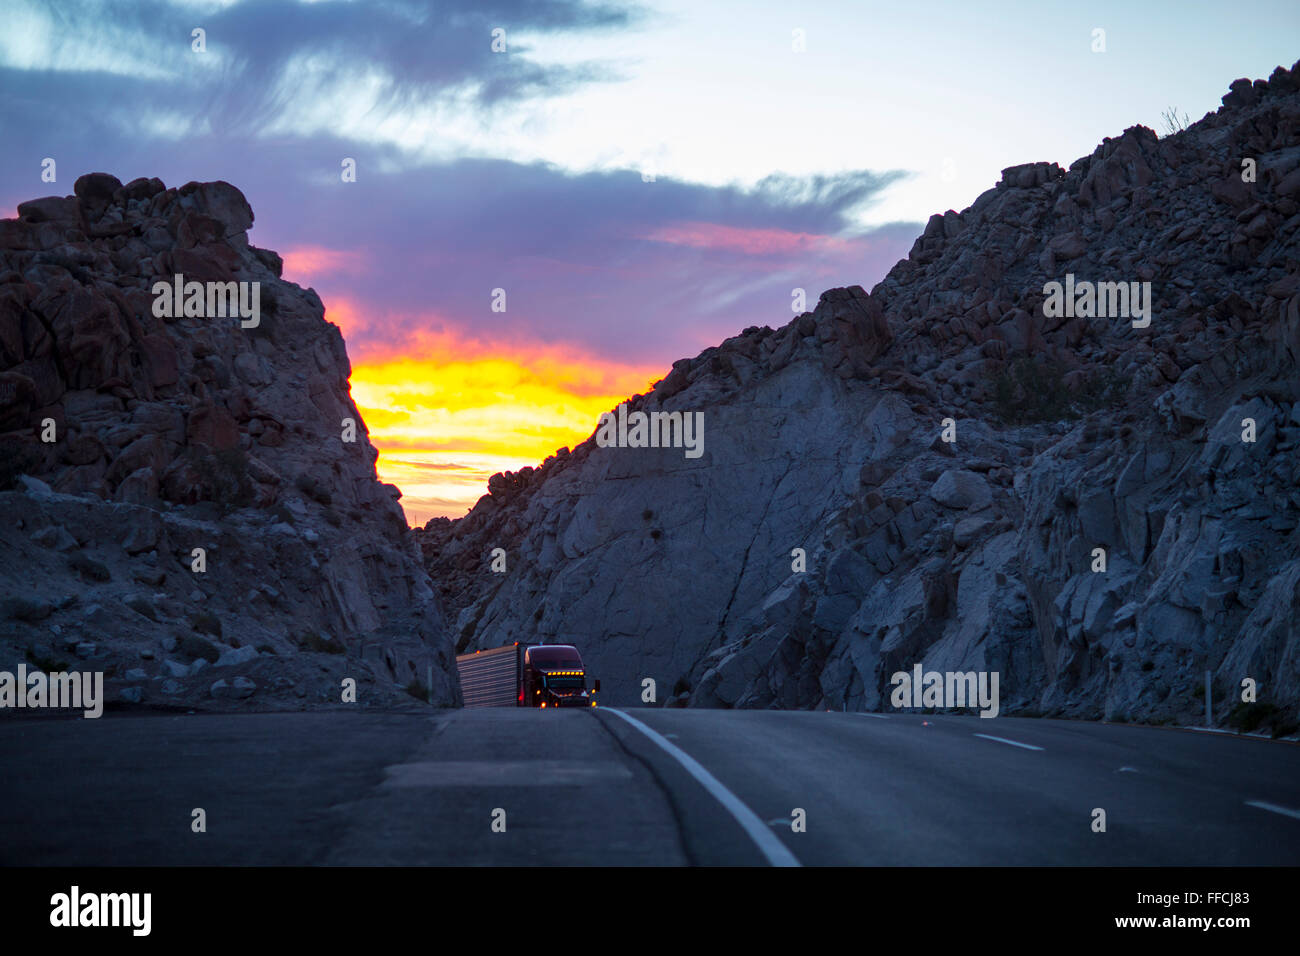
{"x": 131, "y": 440}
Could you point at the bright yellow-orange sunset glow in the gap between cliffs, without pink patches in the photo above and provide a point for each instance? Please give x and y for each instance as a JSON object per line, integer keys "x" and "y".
{"x": 452, "y": 413}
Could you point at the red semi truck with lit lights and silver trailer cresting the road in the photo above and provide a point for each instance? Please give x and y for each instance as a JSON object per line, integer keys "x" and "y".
{"x": 526, "y": 676}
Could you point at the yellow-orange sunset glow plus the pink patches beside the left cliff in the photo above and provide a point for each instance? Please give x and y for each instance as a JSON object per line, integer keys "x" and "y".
{"x": 447, "y": 410}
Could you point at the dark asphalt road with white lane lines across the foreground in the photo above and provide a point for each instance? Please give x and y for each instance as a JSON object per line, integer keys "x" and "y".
{"x": 530, "y": 788}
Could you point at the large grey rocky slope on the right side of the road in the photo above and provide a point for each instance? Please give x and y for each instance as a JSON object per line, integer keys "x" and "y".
{"x": 1069, "y": 434}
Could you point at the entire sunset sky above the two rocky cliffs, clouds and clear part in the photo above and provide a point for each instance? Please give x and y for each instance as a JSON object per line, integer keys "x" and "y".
{"x": 642, "y": 181}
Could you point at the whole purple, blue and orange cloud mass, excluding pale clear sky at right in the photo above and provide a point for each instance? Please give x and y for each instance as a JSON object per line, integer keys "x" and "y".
{"x": 609, "y": 278}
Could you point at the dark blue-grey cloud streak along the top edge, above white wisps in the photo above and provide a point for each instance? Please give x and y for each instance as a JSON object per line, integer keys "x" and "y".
{"x": 426, "y": 47}
